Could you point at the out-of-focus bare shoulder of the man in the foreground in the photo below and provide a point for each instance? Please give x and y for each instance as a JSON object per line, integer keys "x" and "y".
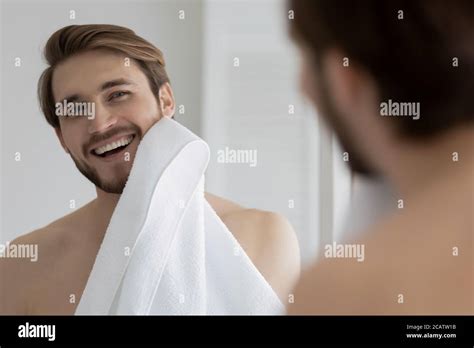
{"x": 412, "y": 265}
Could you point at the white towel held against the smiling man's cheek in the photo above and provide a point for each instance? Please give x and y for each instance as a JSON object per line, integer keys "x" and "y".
{"x": 165, "y": 250}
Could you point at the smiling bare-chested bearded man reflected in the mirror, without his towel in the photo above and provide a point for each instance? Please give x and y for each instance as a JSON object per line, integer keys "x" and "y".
{"x": 123, "y": 76}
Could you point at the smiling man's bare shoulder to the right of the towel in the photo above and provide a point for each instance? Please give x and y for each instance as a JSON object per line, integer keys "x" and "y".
{"x": 267, "y": 238}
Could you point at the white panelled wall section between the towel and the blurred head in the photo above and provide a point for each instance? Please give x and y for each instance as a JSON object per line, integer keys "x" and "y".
{"x": 247, "y": 107}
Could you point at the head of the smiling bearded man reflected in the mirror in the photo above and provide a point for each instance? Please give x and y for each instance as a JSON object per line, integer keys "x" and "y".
{"x": 123, "y": 77}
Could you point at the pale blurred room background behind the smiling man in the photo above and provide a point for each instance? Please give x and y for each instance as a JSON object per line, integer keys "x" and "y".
{"x": 234, "y": 72}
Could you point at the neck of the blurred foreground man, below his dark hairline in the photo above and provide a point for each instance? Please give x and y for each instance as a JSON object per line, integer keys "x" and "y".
{"x": 418, "y": 165}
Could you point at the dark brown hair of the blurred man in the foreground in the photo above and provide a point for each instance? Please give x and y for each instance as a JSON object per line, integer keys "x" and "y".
{"x": 411, "y": 58}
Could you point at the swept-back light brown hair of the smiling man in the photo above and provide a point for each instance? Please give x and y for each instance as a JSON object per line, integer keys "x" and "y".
{"x": 75, "y": 39}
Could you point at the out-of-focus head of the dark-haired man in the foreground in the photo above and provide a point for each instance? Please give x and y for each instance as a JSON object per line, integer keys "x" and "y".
{"x": 386, "y": 73}
